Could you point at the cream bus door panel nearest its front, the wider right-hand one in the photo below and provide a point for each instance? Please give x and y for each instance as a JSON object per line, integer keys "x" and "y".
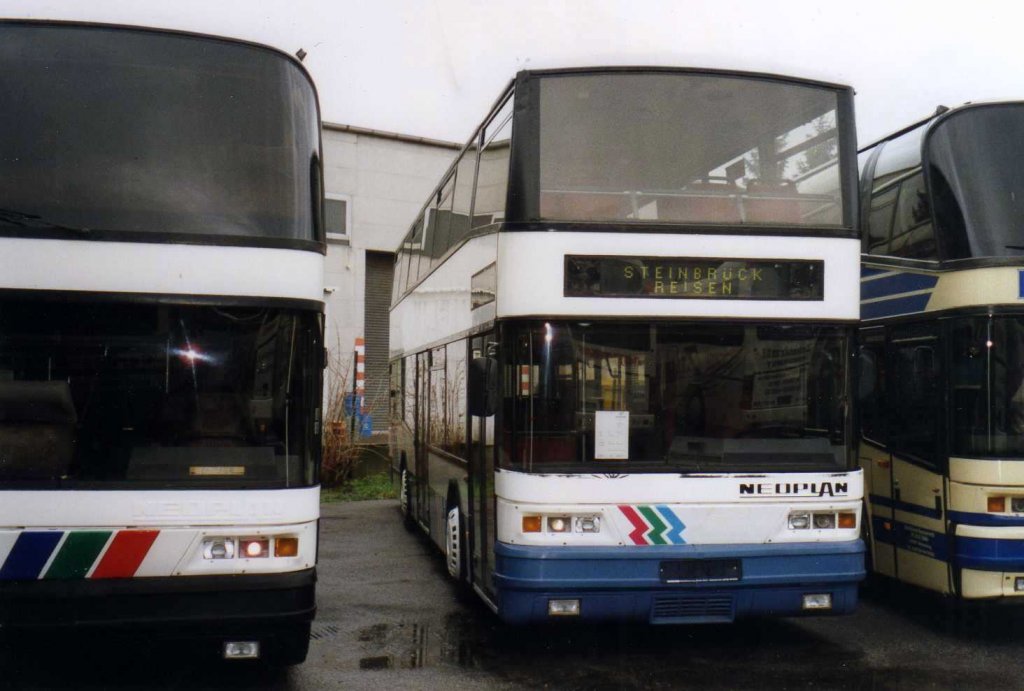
{"x": 919, "y": 487}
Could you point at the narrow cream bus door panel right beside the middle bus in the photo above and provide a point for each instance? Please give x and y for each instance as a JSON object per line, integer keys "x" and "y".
{"x": 874, "y": 456}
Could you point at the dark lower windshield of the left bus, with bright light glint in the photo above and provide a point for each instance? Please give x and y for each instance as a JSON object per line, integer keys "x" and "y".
{"x": 112, "y": 395}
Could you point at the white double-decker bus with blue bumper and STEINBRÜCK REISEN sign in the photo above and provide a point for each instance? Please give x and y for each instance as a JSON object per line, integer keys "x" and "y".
{"x": 621, "y": 341}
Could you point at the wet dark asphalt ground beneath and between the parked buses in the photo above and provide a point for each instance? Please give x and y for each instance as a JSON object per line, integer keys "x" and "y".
{"x": 390, "y": 619}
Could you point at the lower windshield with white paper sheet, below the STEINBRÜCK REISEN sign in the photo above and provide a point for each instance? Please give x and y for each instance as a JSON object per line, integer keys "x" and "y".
{"x": 689, "y": 398}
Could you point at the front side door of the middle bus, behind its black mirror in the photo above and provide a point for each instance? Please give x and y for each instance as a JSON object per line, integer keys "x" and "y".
{"x": 482, "y": 482}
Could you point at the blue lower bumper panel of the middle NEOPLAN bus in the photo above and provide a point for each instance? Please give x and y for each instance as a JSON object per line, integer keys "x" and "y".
{"x": 626, "y": 583}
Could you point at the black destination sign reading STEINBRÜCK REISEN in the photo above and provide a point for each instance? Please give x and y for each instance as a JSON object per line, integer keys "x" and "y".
{"x": 688, "y": 278}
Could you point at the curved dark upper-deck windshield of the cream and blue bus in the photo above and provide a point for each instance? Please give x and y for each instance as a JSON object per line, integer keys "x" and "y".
{"x": 977, "y": 182}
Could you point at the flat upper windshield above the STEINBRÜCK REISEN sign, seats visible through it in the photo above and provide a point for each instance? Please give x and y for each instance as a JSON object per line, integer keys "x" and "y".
{"x": 684, "y": 148}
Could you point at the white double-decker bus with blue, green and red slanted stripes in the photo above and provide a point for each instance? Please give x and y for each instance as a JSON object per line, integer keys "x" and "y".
{"x": 161, "y": 347}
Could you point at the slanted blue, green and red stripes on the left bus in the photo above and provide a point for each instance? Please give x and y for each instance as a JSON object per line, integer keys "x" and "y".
{"x": 70, "y": 555}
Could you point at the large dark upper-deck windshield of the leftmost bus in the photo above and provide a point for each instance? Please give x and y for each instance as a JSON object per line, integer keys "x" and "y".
{"x": 114, "y": 131}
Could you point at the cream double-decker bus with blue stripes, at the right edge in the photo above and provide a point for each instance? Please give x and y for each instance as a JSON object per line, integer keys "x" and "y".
{"x": 943, "y": 354}
